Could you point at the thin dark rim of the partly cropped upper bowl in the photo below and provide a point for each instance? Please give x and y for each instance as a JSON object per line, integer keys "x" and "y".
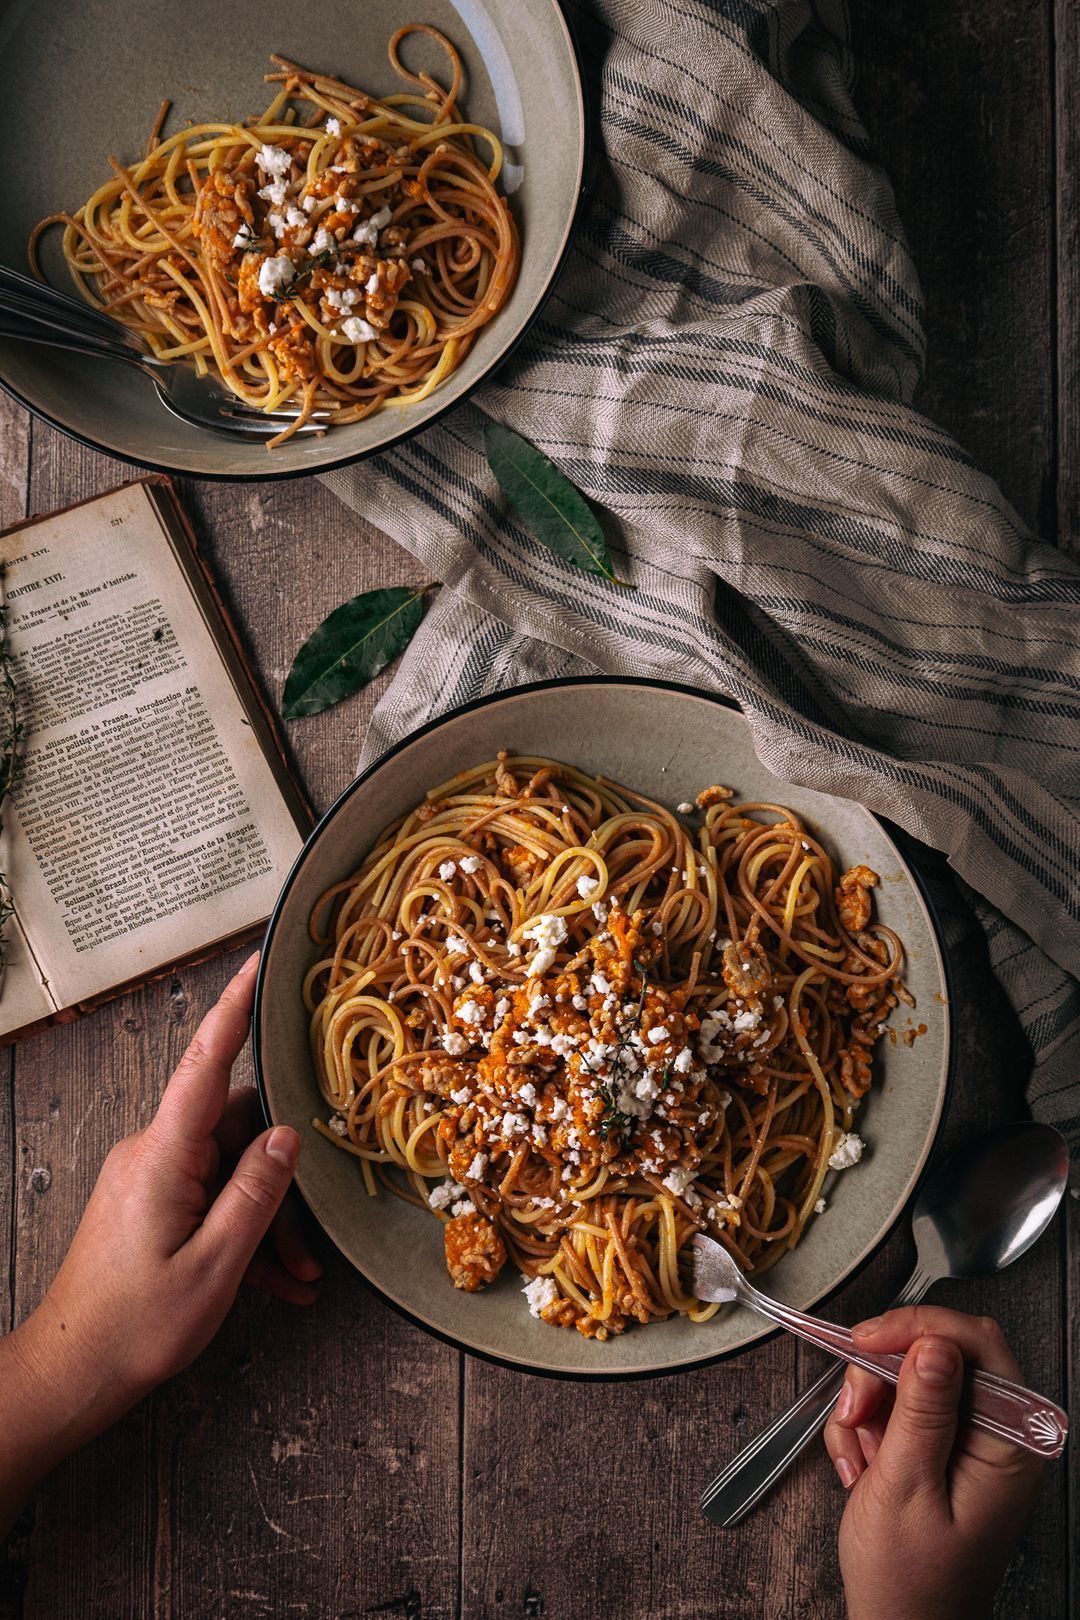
{"x": 585, "y": 150}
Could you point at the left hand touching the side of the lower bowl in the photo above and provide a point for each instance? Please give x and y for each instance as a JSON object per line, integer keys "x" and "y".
{"x": 176, "y": 1222}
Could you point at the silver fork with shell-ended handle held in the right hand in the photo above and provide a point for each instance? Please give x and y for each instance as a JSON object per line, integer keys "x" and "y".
{"x": 992, "y": 1404}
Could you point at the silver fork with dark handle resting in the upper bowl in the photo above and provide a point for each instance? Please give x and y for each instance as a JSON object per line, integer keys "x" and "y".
{"x": 35, "y": 313}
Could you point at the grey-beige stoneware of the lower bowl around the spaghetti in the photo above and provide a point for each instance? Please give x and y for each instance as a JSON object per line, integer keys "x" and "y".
{"x": 668, "y": 743}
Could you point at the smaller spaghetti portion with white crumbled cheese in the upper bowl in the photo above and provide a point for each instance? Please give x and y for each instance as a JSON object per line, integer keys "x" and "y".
{"x": 339, "y": 252}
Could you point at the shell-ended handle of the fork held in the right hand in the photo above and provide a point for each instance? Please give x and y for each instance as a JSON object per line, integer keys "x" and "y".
{"x": 995, "y": 1405}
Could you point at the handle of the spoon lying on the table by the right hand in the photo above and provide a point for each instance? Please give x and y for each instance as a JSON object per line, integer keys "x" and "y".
{"x": 754, "y": 1472}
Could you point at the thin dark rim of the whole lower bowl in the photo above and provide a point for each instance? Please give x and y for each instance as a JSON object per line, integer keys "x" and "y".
{"x": 623, "y": 1376}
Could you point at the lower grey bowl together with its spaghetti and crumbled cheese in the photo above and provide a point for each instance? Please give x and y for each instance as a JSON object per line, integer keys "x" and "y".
{"x": 569, "y": 978}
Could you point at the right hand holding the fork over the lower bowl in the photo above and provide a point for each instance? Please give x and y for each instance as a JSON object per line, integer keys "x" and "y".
{"x": 935, "y": 1509}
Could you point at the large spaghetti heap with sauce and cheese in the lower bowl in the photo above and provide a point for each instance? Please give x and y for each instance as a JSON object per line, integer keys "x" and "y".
{"x": 580, "y": 1031}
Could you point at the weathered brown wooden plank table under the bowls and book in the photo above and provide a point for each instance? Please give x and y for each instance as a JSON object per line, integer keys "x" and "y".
{"x": 341, "y": 1464}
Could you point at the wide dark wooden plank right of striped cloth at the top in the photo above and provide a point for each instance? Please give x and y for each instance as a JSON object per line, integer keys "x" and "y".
{"x": 959, "y": 109}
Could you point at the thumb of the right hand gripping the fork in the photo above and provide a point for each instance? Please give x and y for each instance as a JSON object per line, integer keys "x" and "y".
{"x": 921, "y": 1433}
